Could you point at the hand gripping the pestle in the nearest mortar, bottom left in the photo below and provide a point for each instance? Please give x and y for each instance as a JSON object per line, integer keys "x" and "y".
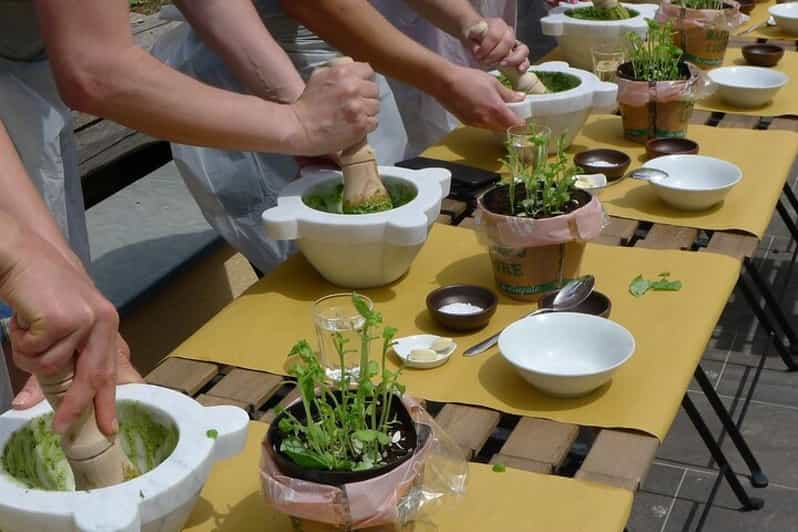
{"x": 59, "y": 319}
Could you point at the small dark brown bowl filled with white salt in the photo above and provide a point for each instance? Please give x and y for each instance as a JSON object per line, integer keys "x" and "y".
{"x": 462, "y": 293}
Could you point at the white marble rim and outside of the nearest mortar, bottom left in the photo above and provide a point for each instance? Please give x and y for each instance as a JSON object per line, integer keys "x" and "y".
{"x": 158, "y": 501}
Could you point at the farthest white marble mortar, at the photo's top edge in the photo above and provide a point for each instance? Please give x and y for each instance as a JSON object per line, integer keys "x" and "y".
{"x": 576, "y": 37}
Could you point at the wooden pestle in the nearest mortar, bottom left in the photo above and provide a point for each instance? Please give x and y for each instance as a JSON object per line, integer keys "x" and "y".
{"x": 96, "y": 460}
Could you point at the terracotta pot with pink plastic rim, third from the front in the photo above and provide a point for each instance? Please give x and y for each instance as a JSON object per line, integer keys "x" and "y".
{"x": 655, "y": 109}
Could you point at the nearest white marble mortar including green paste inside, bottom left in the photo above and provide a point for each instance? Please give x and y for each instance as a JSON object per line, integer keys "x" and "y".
{"x": 170, "y": 439}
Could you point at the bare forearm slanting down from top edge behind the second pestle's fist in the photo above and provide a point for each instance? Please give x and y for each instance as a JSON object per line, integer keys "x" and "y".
{"x": 254, "y": 57}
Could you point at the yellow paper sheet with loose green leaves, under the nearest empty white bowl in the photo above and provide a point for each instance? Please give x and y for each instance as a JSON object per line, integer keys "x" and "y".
{"x": 671, "y": 329}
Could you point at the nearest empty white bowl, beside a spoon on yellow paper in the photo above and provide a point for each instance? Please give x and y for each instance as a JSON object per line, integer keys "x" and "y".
{"x": 566, "y": 354}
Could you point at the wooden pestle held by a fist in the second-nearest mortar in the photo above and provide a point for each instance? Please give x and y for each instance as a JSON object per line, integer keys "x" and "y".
{"x": 362, "y": 182}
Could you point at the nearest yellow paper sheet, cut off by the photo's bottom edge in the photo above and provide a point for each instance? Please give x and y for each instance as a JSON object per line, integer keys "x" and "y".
{"x": 514, "y": 500}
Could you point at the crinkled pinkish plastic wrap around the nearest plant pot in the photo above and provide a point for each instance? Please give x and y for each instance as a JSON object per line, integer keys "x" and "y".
{"x": 436, "y": 472}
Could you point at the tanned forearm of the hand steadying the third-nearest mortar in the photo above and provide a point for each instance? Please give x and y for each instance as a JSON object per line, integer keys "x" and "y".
{"x": 358, "y": 30}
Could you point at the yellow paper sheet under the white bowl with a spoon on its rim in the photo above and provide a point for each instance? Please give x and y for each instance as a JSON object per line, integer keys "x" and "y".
{"x": 765, "y": 157}
